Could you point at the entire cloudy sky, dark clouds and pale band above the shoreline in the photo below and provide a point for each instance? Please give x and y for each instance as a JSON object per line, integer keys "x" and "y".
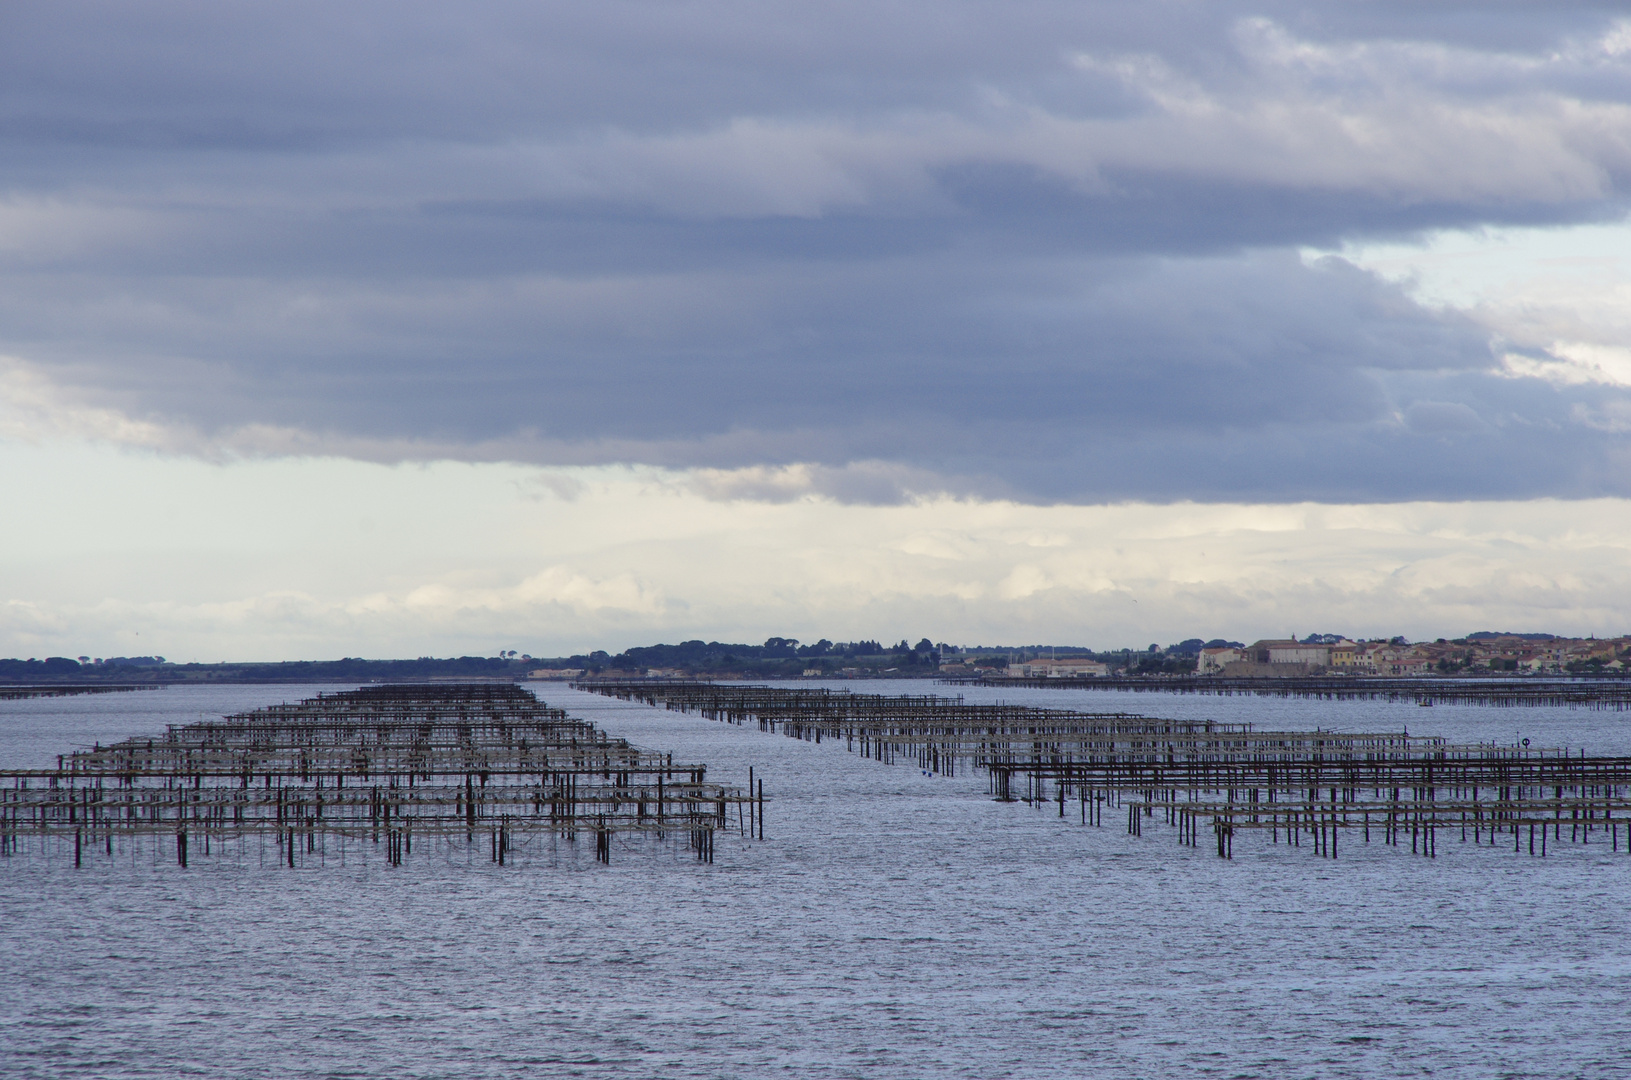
{"x": 820, "y": 272}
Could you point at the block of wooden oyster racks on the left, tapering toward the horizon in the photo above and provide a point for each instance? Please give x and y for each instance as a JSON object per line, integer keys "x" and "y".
{"x": 376, "y": 768}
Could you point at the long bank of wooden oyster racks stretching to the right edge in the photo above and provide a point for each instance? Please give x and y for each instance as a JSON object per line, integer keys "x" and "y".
{"x": 1302, "y": 786}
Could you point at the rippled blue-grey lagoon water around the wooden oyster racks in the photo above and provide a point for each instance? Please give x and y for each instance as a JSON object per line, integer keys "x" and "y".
{"x": 891, "y": 926}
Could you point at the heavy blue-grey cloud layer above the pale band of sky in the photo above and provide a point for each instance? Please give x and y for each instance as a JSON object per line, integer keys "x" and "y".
{"x": 1043, "y": 252}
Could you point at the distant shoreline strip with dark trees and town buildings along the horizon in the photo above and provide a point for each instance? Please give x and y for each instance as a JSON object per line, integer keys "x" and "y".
{"x": 1485, "y": 653}
